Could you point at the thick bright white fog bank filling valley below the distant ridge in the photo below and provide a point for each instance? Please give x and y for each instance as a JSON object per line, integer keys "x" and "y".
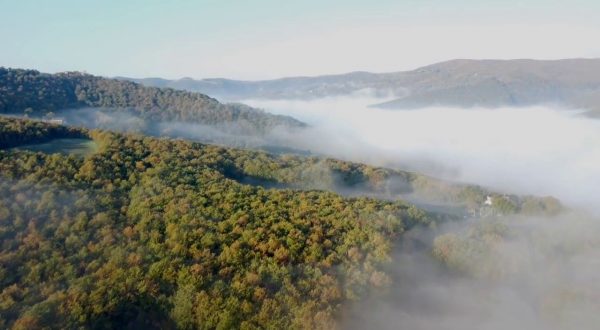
{"x": 533, "y": 150}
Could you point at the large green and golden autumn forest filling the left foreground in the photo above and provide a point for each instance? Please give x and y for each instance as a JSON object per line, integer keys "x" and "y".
{"x": 154, "y": 233}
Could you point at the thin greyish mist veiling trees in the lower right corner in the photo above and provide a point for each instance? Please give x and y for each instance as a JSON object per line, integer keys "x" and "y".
{"x": 492, "y": 274}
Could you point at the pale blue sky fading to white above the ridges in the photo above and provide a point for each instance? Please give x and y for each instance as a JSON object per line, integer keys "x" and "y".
{"x": 262, "y": 39}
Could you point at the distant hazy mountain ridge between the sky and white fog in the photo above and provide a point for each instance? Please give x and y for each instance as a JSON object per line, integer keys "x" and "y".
{"x": 572, "y": 83}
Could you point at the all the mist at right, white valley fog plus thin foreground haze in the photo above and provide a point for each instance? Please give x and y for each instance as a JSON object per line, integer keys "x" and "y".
{"x": 507, "y": 272}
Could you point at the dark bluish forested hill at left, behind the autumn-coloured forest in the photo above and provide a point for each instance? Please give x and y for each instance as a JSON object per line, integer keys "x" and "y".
{"x": 38, "y": 94}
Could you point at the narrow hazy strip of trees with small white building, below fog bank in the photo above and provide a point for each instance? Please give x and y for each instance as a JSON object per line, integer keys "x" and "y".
{"x": 355, "y": 179}
